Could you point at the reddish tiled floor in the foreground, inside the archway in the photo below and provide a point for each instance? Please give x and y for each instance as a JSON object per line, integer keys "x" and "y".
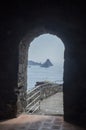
{"x": 37, "y": 122}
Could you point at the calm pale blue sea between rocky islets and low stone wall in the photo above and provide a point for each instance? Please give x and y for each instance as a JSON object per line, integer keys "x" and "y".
{"x": 37, "y": 73}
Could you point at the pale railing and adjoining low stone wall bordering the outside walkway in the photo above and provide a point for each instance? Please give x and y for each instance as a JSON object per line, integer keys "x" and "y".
{"x": 40, "y": 92}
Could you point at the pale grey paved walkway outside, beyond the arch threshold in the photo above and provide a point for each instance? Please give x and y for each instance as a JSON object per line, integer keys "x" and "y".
{"x": 53, "y": 105}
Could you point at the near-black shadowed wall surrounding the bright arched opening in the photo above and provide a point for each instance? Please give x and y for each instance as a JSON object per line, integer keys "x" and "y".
{"x": 64, "y": 19}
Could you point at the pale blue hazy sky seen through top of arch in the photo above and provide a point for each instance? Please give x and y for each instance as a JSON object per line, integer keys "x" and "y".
{"x": 46, "y": 46}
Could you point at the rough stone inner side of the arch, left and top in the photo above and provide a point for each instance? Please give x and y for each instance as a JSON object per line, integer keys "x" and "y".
{"x": 23, "y": 58}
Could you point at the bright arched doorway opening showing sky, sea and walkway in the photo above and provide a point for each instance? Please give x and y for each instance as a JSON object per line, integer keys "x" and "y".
{"x": 45, "y": 69}
